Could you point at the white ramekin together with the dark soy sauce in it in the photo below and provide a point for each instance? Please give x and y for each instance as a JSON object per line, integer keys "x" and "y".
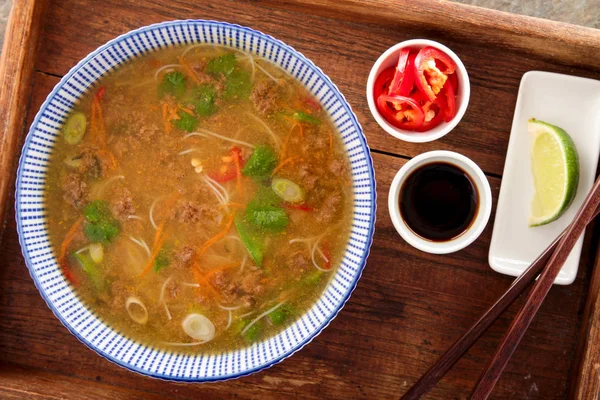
{"x": 440, "y": 202}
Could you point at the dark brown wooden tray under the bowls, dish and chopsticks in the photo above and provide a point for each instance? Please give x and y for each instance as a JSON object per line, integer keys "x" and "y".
{"x": 409, "y": 306}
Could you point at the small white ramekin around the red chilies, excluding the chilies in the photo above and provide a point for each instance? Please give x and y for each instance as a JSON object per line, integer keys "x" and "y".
{"x": 390, "y": 59}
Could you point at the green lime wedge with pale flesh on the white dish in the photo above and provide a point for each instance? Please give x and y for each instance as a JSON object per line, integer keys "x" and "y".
{"x": 555, "y": 168}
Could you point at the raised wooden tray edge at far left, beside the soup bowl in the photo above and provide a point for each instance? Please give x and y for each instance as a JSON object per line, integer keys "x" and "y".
{"x": 16, "y": 72}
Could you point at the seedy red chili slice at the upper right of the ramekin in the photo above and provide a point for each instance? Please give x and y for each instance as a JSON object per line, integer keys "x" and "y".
{"x": 432, "y": 68}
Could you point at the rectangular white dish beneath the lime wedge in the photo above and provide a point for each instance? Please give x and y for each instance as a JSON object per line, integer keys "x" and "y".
{"x": 572, "y": 103}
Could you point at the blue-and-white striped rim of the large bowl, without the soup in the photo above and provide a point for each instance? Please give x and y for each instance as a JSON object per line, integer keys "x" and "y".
{"x": 40, "y": 257}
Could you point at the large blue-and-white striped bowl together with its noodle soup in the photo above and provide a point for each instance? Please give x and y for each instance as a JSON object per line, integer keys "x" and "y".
{"x": 195, "y": 201}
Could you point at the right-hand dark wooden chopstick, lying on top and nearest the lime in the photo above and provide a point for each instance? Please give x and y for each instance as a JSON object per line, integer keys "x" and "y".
{"x": 538, "y": 293}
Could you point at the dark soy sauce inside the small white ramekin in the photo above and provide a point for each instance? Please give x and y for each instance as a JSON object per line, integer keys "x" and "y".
{"x": 438, "y": 201}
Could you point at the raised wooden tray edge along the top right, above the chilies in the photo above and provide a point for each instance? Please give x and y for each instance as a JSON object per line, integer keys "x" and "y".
{"x": 553, "y": 40}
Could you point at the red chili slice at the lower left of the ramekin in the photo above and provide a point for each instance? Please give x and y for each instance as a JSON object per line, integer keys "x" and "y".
{"x": 400, "y": 111}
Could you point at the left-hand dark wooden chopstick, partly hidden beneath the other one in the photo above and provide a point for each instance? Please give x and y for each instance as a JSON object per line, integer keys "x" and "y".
{"x": 464, "y": 343}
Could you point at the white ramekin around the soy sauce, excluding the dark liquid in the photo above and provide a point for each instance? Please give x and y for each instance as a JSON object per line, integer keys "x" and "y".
{"x": 483, "y": 212}
